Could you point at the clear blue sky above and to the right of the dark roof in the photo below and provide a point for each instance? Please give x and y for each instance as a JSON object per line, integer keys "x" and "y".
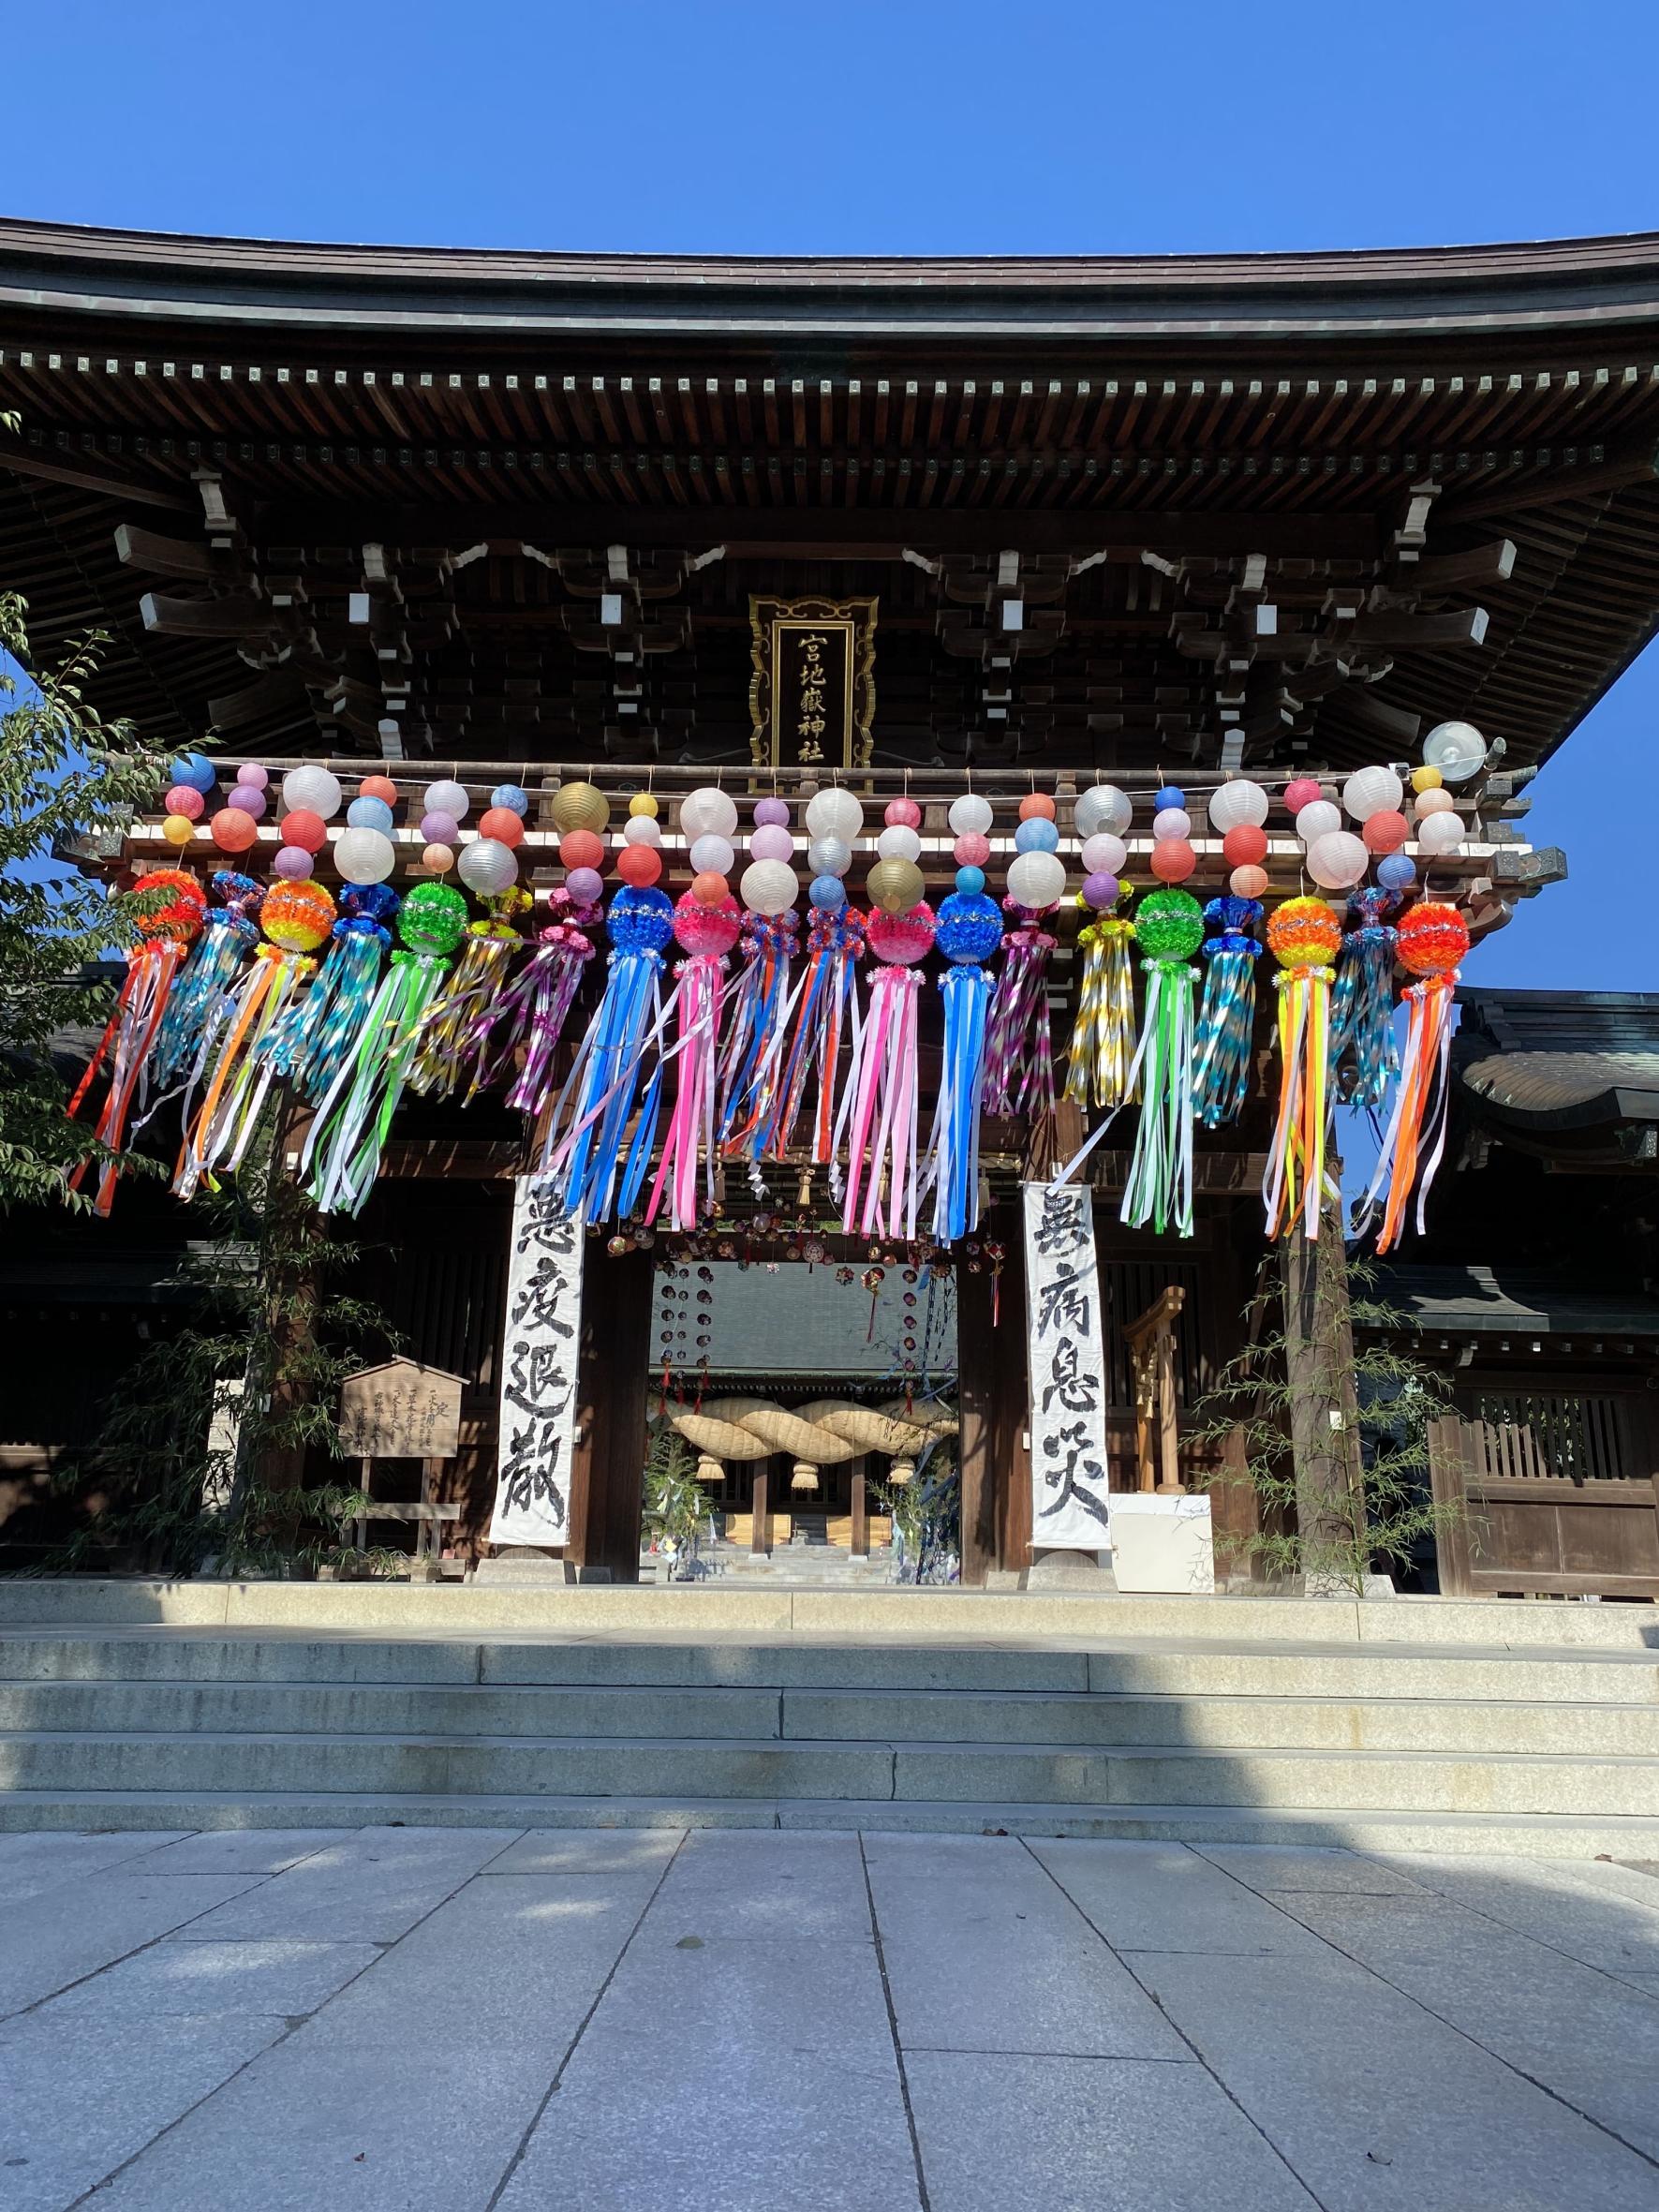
{"x": 899, "y": 127}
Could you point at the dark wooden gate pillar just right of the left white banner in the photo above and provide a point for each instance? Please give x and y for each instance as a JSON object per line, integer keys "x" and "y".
{"x": 614, "y": 1388}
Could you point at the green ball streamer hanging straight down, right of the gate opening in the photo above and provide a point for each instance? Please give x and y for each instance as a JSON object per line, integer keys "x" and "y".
{"x": 1169, "y": 928}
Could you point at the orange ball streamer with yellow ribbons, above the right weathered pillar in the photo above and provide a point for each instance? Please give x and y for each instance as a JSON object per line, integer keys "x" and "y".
{"x": 1304, "y": 939}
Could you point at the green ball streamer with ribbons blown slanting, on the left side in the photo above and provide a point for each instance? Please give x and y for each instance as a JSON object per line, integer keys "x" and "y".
{"x": 348, "y": 1136}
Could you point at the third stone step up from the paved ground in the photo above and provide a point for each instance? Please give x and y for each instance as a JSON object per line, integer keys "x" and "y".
{"x": 952, "y": 1715}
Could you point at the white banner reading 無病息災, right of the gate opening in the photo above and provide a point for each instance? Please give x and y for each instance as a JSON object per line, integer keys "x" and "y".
{"x": 1070, "y": 1488}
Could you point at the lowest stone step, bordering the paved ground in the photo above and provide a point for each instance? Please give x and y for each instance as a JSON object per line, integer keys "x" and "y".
{"x": 1353, "y": 1828}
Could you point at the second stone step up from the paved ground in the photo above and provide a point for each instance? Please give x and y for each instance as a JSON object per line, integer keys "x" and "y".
{"x": 640, "y": 1766}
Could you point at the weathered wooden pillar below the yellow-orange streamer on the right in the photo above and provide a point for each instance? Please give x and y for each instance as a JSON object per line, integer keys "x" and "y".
{"x": 1324, "y": 1406}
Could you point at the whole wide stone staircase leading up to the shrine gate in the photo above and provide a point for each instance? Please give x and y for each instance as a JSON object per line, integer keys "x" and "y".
{"x": 1547, "y": 1749}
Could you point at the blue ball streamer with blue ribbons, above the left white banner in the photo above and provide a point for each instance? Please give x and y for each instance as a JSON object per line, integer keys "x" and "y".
{"x": 592, "y": 1112}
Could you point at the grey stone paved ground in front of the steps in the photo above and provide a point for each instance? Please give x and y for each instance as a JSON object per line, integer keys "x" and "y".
{"x": 457, "y": 2021}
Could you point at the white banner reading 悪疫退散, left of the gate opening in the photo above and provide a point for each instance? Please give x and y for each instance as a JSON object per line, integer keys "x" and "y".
{"x": 539, "y": 1368}
